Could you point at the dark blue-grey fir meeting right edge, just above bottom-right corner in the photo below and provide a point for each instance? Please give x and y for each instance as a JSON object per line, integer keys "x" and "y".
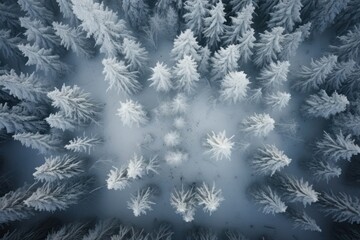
{"x": 341, "y": 207}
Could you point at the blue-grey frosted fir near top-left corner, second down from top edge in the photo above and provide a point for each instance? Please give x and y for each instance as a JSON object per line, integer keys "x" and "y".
{"x": 39, "y": 34}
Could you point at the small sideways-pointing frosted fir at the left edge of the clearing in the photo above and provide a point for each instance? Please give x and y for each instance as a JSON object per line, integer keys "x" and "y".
{"x": 83, "y": 144}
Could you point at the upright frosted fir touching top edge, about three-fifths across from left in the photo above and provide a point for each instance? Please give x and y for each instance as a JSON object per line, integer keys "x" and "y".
{"x": 214, "y": 24}
